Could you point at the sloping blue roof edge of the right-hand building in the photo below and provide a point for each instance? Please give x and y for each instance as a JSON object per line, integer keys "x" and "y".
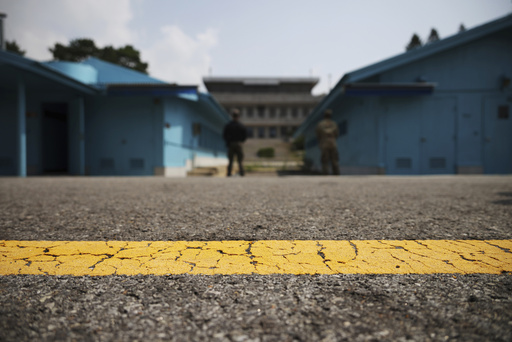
{"x": 403, "y": 59}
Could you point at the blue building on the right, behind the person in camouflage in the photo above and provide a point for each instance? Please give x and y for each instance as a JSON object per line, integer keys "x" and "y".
{"x": 443, "y": 108}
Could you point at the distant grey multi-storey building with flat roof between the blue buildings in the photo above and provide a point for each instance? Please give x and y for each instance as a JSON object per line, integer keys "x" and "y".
{"x": 271, "y": 108}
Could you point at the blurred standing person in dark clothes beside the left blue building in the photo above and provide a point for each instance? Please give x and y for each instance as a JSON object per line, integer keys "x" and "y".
{"x": 234, "y": 135}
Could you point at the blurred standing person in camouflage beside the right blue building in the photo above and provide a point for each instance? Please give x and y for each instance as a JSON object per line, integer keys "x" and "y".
{"x": 326, "y": 133}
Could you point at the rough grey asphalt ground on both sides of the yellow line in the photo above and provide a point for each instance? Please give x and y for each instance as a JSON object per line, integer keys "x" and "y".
{"x": 254, "y": 307}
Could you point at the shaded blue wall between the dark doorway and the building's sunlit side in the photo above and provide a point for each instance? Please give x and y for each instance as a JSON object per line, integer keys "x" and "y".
{"x": 120, "y": 136}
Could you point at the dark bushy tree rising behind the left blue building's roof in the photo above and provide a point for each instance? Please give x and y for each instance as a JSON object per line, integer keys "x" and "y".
{"x": 80, "y": 49}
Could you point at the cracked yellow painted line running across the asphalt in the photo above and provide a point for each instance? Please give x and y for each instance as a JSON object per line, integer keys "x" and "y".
{"x": 100, "y": 258}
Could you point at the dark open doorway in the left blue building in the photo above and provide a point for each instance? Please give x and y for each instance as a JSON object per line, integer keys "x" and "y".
{"x": 55, "y": 138}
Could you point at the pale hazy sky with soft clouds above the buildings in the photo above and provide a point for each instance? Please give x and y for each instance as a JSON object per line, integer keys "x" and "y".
{"x": 184, "y": 40}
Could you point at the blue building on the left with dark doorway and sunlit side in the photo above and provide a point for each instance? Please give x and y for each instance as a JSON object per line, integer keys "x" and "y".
{"x": 97, "y": 118}
